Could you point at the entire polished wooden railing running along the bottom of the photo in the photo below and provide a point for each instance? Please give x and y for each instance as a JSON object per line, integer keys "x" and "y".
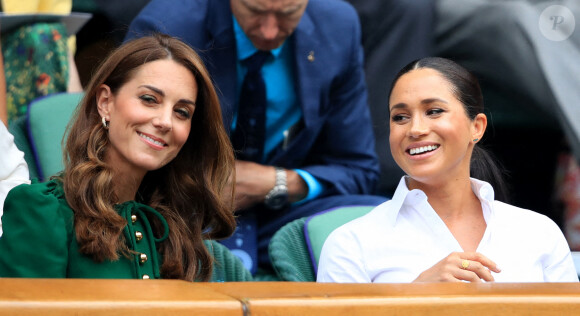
{"x": 169, "y": 297}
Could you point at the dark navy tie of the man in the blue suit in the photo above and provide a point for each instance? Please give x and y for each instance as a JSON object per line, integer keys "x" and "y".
{"x": 250, "y": 134}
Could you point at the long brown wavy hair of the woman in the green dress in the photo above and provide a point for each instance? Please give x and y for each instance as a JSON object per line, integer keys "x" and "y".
{"x": 191, "y": 192}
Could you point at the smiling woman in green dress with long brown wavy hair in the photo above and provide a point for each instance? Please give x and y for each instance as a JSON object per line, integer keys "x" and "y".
{"x": 147, "y": 163}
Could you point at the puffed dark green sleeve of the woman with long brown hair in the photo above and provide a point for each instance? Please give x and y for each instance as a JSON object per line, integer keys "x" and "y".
{"x": 37, "y": 227}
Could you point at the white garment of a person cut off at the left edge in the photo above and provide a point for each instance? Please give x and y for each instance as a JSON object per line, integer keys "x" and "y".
{"x": 13, "y": 168}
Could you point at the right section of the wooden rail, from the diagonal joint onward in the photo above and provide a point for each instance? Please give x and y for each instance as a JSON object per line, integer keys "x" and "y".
{"x": 443, "y": 299}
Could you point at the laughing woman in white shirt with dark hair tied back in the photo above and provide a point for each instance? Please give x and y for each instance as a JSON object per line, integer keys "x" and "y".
{"x": 443, "y": 222}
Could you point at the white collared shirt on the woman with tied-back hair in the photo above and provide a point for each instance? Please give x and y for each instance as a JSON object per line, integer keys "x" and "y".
{"x": 403, "y": 237}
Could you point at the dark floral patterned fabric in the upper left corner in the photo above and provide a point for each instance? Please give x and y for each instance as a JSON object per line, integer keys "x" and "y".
{"x": 35, "y": 63}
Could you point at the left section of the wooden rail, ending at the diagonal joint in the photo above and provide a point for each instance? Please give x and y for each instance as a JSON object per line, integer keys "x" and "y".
{"x": 112, "y": 297}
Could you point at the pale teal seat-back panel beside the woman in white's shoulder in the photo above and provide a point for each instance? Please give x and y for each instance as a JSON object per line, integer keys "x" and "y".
{"x": 319, "y": 226}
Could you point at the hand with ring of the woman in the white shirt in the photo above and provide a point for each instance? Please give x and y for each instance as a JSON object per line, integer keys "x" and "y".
{"x": 460, "y": 266}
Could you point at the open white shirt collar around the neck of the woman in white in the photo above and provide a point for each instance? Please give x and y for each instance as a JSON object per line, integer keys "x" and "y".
{"x": 482, "y": 190}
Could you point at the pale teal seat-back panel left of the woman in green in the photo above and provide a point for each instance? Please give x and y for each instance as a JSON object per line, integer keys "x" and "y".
{"x": 48, "y": 118}
